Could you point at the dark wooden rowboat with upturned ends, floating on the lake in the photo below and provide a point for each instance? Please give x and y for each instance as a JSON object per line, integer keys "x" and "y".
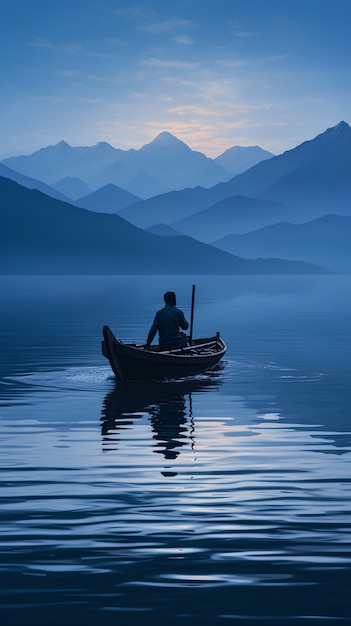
{"x": 133, "y": 362}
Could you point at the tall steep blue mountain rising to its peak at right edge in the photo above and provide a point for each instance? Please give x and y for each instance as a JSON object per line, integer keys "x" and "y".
{"x": 311, "y": 179}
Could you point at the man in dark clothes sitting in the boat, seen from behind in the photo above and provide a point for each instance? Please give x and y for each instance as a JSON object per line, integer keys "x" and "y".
{"x": 167, "y": 322}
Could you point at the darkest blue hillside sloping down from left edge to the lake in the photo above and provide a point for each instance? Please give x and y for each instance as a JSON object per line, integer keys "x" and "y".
{"x": 41, "y": 235}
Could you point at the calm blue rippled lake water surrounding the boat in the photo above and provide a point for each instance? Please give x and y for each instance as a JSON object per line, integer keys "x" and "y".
{"x": 220, "y": 499}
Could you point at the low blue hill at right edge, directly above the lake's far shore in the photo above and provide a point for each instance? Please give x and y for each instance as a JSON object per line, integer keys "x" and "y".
{"x": 324, "y": 241}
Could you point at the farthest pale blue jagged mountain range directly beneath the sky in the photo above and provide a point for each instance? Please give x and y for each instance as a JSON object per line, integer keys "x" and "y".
{"x": 165, "y": 164}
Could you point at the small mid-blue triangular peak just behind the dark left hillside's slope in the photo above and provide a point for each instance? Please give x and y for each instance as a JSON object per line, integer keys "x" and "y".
{"x": 108, "y": 199}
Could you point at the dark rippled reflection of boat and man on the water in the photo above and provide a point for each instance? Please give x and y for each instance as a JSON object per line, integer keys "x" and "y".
{"x": 168, "y": 405}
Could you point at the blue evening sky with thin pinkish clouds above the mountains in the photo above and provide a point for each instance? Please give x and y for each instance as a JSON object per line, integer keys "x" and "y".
{"x": 215, "y": 73}
